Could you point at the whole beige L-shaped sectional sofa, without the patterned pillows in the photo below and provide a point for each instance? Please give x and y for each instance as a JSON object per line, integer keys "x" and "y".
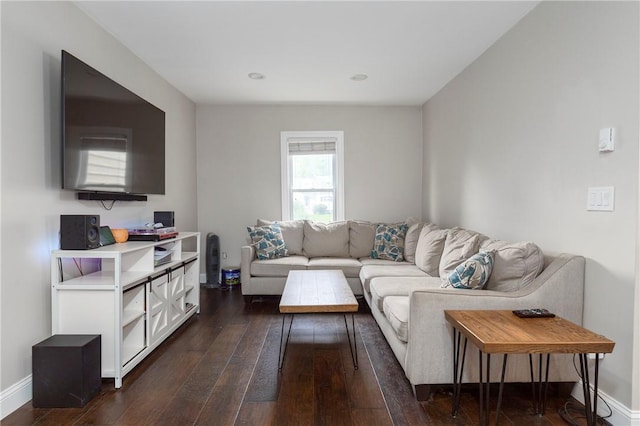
{"x": 407, "y": 298}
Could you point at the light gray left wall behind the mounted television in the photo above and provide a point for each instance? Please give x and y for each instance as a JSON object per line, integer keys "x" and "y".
{"x": 32, "y": 36}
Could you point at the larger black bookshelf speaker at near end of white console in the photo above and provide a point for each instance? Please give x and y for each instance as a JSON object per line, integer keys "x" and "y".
{"x": 79, "y": 231}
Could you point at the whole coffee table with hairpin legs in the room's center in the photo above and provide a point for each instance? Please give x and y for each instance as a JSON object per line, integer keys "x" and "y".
{"x": 317, "y": 291}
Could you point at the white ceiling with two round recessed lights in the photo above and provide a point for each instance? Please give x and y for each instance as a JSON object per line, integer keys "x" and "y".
{"x": 308, "y": 50}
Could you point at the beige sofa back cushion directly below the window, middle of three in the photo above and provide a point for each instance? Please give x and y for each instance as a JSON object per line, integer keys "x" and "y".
{"x": 326, "y": 239}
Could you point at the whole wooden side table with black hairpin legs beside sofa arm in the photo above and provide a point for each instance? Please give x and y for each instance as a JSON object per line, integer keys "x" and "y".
{"x": 502, "y": 332}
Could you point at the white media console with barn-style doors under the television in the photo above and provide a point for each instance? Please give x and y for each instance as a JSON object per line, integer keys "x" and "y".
{"x": 131, "y": 303}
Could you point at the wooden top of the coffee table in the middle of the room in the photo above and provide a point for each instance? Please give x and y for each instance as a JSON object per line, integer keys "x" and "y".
{"x": 311, "y": 291}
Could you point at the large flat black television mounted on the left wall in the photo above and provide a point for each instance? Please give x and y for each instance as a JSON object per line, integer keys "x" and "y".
{"x": 112, "y": 140}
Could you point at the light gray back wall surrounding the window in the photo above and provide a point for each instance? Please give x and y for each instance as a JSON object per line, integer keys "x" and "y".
{"x": 239, "y": 164}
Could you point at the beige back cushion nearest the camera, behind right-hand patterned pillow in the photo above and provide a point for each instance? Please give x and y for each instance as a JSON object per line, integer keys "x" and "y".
{"x": 515, "y": 264}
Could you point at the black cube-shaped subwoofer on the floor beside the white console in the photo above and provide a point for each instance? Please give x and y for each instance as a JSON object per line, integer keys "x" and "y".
{"x": 66, "y": 370}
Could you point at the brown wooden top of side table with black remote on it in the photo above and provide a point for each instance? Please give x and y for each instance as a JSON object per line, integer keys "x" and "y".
{"x": 503, "y": 332}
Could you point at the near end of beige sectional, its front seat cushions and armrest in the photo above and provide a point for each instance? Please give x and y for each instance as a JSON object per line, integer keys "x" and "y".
{"x": 411, "y": 317}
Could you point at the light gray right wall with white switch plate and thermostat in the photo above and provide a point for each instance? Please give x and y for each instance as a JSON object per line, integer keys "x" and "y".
{"x": 511, "y": 148}
